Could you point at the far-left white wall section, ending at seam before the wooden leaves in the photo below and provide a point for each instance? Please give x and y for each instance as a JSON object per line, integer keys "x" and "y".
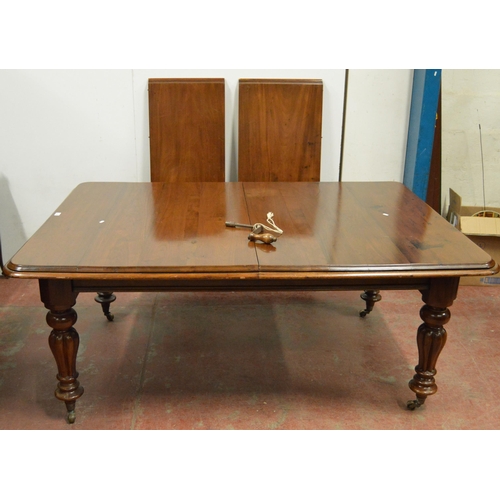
{"x": 57, "y": 129}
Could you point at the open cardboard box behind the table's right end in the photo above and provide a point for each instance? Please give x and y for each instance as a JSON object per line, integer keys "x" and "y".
{"x": 482, "y": 226}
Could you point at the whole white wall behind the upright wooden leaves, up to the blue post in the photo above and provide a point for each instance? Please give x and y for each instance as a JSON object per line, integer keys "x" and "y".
{"x": 59, "y": 128}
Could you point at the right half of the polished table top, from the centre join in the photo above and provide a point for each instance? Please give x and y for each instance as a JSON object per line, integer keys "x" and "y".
{"x": 363, "y": 226}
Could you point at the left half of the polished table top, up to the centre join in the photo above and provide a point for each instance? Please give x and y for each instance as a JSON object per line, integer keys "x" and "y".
{"x": 143, "y": 227}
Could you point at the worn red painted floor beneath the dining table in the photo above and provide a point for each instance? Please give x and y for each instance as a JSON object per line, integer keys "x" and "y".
{"x": 250, "y": 361}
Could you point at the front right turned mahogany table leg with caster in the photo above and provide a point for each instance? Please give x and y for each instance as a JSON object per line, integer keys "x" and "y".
{"x": 431, "y": 337}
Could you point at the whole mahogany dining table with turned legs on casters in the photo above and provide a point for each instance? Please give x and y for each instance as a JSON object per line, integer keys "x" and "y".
{"x": 111, "y": 237}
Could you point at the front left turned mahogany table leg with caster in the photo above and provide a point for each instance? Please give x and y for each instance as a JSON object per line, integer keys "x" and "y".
{"x": 63, "y": 340}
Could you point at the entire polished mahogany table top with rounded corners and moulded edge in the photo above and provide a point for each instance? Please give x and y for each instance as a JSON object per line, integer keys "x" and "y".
{"x": 125, "y": 230}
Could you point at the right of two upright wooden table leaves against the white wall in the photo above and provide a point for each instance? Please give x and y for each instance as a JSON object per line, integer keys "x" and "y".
{"x": 279, "y": 130}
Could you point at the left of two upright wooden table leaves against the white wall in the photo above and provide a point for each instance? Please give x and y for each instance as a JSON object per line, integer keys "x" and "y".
{"x": 186, "y": 128}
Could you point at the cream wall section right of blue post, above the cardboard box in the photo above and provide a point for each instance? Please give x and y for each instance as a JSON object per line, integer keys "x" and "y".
{"x": 471, "y": 97}
